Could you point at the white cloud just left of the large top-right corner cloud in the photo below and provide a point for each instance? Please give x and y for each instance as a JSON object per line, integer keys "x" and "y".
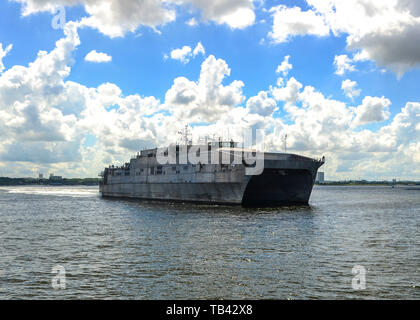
{"x": 290, "y": 22}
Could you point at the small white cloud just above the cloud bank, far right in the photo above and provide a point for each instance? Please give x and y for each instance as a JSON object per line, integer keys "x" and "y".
{"x": 372, "y": 109}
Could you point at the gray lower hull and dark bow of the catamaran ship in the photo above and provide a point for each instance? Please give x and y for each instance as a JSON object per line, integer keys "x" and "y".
{"x": 284, "y": 181}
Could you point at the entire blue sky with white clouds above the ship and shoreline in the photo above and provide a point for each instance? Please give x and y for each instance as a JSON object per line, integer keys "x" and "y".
{"x": 250, "y": 47}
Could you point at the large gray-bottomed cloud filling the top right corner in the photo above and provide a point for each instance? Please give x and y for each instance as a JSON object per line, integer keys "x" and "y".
{"x": 386, "y": 30}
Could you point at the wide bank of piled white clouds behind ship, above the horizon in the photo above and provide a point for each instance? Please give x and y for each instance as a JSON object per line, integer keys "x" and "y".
{"x": 45, "y": 118}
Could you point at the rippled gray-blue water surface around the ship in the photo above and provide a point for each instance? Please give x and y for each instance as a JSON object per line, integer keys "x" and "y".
{"x": 119, "y": 249}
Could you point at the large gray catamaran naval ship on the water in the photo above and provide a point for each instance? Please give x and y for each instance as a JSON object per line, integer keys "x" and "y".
{"x": 286, "y": 179}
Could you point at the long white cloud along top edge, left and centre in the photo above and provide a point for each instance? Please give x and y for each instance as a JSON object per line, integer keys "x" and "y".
{"x": 114, "y": 18}
